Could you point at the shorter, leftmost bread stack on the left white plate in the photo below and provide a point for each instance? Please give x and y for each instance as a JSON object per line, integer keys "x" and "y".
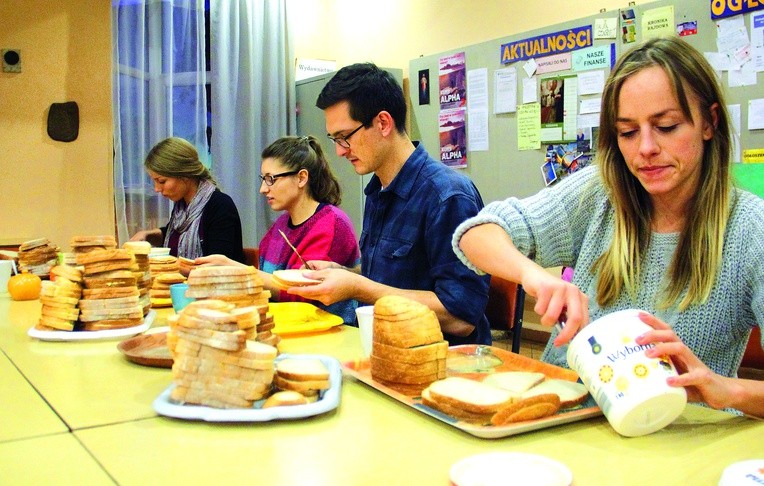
{"x": 59, "y": 298}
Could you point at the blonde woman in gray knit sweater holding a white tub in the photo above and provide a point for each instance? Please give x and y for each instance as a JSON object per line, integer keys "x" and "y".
{"x": 656, "y": 224}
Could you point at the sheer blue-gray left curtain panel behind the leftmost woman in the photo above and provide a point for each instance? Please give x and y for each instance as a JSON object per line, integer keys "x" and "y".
{"x": 159, "y": 90}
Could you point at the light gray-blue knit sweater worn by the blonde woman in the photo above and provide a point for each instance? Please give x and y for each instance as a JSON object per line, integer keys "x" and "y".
{"x": 571, "y": 224}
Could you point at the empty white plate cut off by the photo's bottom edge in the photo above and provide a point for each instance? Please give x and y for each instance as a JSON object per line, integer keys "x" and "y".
{"x": 510, "y": 468}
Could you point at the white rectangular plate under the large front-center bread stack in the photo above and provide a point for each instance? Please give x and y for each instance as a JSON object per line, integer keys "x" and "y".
{"x": 329, "y": 400}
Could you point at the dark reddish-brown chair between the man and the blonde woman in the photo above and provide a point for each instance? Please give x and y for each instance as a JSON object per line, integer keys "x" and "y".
{"x": 504, "y": 310}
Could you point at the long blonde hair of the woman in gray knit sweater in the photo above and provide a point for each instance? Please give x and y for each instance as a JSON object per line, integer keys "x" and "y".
{"x": 698, "y": 255}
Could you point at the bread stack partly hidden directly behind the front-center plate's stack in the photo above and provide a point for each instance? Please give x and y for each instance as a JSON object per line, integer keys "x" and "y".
{"x": 238, "y": 285}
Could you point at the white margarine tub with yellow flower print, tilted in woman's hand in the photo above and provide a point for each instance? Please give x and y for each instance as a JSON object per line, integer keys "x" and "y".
{"x": 629, "y": 387}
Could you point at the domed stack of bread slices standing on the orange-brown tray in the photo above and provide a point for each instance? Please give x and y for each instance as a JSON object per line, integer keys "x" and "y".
{"x": 408, "y": 349}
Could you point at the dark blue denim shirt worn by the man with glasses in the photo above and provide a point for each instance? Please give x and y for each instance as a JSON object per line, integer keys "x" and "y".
{"x": 406, "y": 239}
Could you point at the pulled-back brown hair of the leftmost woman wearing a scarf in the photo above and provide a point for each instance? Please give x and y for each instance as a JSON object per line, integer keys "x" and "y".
{"x": 177, "y": 157}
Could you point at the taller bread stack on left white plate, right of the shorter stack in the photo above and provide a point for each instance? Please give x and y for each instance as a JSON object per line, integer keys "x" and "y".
{"x": 110, "y": 299}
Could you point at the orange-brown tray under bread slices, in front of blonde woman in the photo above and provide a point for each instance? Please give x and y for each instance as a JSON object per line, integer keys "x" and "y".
{"x": 475, "y": 362}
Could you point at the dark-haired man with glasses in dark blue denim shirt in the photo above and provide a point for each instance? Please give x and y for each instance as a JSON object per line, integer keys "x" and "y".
{"x": 413, "y": 205}
